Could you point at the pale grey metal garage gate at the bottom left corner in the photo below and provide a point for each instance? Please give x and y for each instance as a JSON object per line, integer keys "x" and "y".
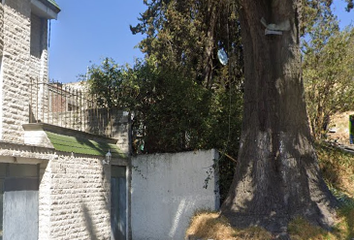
{"x": 19, "y": 185}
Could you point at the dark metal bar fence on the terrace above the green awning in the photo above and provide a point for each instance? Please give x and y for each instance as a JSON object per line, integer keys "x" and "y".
{"x": 70, "y": 106}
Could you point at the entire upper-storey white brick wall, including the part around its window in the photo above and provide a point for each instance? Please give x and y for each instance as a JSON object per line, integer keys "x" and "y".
{"x": 20, "y": 66}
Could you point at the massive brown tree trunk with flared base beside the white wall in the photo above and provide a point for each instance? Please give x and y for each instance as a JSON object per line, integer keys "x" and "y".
{"x": 277, "y": 177}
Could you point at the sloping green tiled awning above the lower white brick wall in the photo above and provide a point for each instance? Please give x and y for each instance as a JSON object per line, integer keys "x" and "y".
{"x": 83, "y": 145}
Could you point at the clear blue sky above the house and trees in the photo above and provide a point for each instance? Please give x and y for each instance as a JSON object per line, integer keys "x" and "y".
{"x": 86, "y": 31}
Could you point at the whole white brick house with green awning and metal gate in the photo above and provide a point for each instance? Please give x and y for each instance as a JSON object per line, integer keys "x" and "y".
{"x": 54, "y": 182}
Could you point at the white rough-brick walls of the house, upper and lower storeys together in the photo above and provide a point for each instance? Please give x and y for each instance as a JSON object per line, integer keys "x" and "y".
{"x": 74, "y": 193}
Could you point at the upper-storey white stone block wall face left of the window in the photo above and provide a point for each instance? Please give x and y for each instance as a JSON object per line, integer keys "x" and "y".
{"x": 15, "y": 68}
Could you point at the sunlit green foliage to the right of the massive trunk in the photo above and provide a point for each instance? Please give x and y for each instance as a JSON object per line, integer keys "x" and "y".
{"x": 327, "y": 70}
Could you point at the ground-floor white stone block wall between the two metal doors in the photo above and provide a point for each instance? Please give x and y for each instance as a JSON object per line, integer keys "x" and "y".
{"x": 74, "y": 200}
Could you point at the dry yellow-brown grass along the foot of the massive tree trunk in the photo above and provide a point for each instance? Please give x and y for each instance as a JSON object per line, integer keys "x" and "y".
{"x": 208, "y": 225}
